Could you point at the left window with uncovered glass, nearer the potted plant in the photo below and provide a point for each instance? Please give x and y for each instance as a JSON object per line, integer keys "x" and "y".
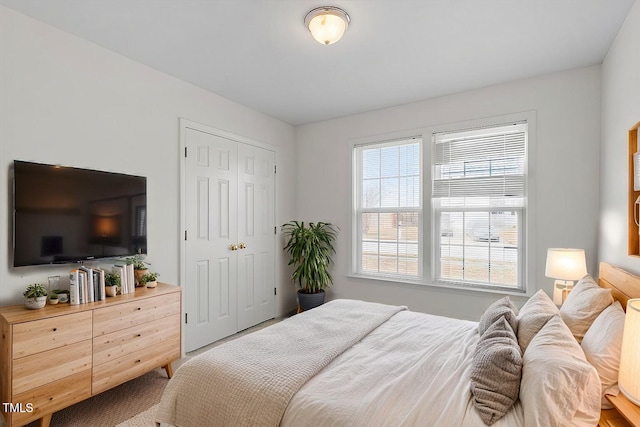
{"x": 388, "y": 208}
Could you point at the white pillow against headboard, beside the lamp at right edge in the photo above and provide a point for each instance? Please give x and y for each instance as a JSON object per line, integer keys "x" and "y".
{"x": 602, "y": 345}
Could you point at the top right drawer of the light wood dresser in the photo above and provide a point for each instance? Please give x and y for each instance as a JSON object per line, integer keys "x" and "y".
{"x": 126, "y": 315}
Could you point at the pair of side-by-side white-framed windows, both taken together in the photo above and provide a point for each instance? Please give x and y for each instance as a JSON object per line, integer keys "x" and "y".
{"x": 472, "y": 233}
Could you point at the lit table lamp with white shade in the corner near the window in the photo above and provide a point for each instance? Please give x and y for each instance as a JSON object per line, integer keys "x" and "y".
{"x": 565, "y": 265}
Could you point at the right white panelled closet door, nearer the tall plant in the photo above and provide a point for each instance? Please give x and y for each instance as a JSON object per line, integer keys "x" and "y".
{"x": 256, "y": 235}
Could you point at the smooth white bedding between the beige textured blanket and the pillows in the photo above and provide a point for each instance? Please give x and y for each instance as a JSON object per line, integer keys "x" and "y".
{"x": 414, "y": 370}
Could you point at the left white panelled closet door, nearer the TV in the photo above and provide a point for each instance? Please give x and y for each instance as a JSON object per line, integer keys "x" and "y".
{"x": 211, "y": 174}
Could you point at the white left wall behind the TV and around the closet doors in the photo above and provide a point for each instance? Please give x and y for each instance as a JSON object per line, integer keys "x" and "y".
{"x": 66, "y": 101}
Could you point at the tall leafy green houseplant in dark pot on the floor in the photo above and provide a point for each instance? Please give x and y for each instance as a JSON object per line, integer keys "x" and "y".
{"x": 310, "y": 247}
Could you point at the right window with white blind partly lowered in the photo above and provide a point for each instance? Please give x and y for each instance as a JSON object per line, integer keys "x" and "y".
{"x": 478, "y": 192}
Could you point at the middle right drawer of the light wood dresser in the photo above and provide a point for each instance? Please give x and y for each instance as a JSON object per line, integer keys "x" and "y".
{"x": 120, "y": 343}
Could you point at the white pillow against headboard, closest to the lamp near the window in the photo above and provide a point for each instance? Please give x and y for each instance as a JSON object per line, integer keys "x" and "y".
{"x": 583, "y": 304}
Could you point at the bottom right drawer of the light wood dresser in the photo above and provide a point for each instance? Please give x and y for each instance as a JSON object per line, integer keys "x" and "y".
{"x": 137, "y": 363}
